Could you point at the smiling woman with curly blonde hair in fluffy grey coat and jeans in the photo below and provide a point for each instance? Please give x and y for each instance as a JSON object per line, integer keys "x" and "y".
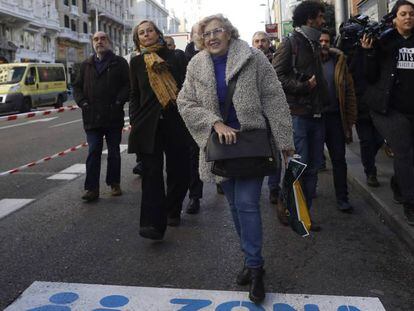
{"x": 258, "y": 94}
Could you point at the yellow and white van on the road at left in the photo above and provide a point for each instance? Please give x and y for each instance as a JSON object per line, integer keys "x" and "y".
{"x": 24, "y": 86}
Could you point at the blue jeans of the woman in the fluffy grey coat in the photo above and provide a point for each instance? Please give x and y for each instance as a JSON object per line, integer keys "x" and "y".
{"x": 243, "y": 195}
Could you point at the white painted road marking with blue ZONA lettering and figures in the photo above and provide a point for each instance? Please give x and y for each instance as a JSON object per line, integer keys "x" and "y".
{"x": 81, "y": 297}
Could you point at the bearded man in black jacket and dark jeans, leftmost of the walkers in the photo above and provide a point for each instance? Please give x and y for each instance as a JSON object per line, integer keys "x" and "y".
{"x": 101, "y": 90}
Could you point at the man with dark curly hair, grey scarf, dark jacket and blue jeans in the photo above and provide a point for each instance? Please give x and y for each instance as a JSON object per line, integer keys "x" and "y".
{"x": 298, "y": 66}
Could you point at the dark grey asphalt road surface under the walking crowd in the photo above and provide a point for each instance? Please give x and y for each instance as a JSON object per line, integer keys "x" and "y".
{"x": 59, "y": 238}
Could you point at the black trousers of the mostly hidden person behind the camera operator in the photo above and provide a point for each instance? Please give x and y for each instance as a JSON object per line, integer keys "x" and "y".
{"x": 370, "y": 141}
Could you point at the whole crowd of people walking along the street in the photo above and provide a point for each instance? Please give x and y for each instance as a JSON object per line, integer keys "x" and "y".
{"x": 304, "y": 94}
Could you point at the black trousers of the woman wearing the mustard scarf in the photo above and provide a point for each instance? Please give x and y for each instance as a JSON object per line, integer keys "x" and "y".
{"x": 157, "y": 203}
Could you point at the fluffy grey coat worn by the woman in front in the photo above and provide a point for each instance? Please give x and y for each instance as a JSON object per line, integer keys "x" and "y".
{"x": 258, "y": 92}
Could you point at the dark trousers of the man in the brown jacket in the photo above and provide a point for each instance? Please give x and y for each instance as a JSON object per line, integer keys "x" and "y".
{"x": 335, "y": 142}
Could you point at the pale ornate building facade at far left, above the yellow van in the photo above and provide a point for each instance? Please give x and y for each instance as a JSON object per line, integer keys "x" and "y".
{"x": 28, "y": 30}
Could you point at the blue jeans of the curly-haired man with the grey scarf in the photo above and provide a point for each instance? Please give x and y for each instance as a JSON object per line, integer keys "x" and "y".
{"x": 309, "y": 136}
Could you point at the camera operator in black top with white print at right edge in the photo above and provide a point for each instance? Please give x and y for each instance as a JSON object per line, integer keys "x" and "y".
{"x": 390, "y": 72}
